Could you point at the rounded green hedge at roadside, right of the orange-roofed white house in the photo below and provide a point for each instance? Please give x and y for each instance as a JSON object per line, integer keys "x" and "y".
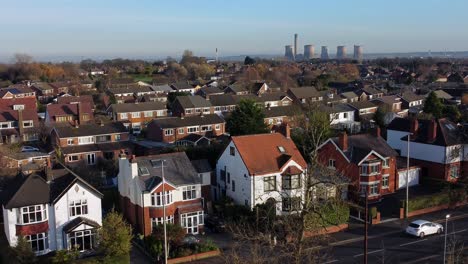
{"x": 330, "y": 213}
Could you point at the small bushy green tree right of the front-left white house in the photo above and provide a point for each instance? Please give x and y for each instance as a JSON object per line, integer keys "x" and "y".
{"x": 115, "y": 235}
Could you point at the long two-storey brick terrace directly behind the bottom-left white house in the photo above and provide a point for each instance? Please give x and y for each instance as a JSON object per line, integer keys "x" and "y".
{"x": 87, "y": 144}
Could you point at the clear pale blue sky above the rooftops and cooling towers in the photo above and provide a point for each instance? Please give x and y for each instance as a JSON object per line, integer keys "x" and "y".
{"x": 161, "y": 28}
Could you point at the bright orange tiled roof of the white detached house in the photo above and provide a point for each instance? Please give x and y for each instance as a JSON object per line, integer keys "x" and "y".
{"x": 262, "y": 155}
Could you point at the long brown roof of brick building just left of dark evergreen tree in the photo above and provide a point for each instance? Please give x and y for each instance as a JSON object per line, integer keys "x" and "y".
{"x": 175, "y": 122}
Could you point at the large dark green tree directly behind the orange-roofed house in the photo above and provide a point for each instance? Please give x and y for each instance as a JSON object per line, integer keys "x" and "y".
{"x": 247, "y": 119}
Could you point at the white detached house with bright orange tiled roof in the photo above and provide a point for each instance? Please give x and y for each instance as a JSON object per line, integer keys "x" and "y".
{"x": 262, "y": 168}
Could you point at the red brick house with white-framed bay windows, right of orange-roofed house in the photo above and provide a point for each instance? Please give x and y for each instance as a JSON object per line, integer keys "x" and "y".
{"x": 367, "y": 160}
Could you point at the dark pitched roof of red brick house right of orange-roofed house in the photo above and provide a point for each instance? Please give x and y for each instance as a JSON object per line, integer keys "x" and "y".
{"x": 359, "y": 146}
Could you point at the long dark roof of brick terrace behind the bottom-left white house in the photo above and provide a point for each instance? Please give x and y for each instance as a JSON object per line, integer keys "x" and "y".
{"x": 90, "y": 130}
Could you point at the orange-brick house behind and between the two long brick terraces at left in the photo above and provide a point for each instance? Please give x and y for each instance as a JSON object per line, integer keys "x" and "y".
{"x": 136, "y": 116}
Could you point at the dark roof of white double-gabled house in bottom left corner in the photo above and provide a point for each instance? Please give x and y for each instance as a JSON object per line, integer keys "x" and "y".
{"x": 36, "y": 189}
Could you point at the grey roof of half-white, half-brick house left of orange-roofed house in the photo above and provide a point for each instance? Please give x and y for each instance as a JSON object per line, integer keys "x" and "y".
{"x": 178, "y": 170}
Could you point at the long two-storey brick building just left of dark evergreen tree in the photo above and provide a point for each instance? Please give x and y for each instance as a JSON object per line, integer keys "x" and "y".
{"x": 173, "y": 129}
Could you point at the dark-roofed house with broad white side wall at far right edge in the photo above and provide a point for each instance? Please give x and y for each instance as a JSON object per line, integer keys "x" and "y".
{"x": 438, "y": 146}
